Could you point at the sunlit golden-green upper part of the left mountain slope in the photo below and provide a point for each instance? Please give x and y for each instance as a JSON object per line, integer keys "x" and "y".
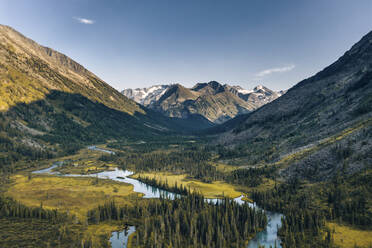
{"x": 29, "y": 71}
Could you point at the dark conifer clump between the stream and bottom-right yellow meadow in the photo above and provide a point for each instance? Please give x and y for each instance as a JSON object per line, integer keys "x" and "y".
{"x": 302, "y": 225}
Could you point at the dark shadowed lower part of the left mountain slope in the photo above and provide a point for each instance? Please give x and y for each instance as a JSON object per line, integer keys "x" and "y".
{"x": 63, "y": 123}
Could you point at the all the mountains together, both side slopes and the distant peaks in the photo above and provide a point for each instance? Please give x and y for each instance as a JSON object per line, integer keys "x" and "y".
{"x": 50, "y": 105}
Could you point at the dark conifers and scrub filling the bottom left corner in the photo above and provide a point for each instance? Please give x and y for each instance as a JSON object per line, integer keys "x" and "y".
{"x": 48, "y": 228}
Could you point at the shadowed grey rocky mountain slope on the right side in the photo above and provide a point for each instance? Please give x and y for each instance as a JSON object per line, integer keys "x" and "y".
{"x": 320, "y": 126}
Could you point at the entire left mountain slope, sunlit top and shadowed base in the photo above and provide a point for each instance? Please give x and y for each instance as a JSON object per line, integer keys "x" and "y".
{"x": 50, "y": 104}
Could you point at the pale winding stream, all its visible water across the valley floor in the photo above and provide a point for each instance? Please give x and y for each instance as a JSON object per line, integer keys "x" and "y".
{"x": 268, "y": 237}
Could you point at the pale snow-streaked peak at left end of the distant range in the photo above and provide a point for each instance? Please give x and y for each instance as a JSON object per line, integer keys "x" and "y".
{"x": 146, "y": 96}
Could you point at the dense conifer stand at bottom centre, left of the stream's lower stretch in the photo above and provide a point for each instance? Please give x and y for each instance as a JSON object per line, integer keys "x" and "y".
{"x": 187, "y": 221}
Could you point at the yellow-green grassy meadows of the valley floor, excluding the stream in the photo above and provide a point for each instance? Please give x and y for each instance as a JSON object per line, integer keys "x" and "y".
{"x": 77, "y": 195}
